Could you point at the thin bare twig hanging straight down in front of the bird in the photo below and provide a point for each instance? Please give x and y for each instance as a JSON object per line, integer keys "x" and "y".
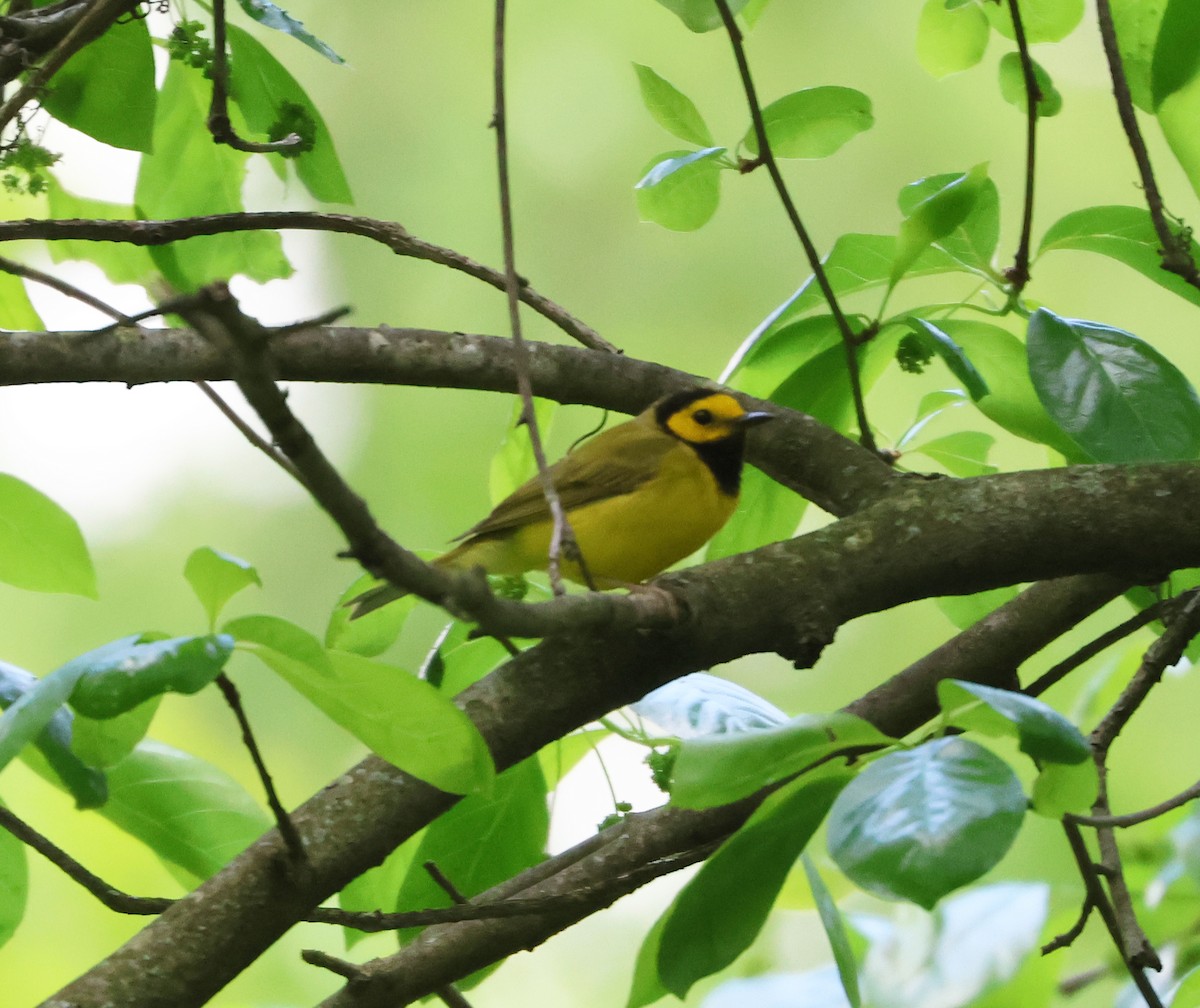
{"x": 562, "y": 538}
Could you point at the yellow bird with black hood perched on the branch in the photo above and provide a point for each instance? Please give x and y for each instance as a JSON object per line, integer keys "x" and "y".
{"x": 640, "y": 497}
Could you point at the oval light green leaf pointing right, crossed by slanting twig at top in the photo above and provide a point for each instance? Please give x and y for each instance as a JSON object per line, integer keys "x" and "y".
{"x": 813, "y": 123}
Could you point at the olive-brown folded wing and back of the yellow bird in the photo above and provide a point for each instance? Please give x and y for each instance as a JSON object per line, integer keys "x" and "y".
{"x": 615, "y": 463}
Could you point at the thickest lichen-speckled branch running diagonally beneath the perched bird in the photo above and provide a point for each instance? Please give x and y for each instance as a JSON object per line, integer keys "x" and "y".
{"x": 923, "y": 539}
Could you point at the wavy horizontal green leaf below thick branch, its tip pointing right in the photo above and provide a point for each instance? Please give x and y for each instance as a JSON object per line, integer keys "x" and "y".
{"x": 719, "y": 770}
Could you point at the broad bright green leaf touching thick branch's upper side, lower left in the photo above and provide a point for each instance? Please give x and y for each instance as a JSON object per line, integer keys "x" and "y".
{"x": 188, "y": 812}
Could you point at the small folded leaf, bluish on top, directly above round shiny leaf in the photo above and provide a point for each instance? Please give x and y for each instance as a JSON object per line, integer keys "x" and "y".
{"x": 1042, "y": 733}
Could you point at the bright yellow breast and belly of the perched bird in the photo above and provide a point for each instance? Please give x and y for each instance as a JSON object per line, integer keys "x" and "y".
{"x": 628, "y": 538}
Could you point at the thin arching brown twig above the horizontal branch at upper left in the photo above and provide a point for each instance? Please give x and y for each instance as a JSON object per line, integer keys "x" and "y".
{"x": 388, "y": 233}
